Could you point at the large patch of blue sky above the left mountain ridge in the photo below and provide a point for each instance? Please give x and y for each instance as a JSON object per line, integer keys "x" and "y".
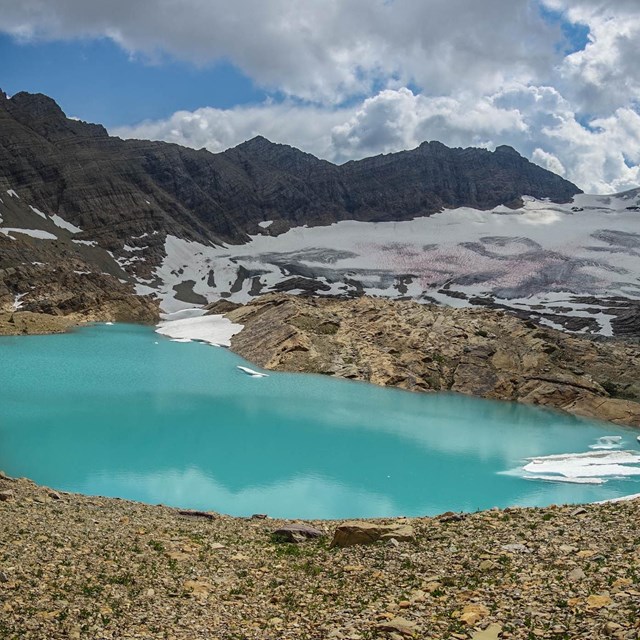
{"x": 97, "y": 81}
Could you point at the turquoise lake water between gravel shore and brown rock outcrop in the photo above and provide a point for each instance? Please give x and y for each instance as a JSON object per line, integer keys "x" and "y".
{"x": 120, "y": 411}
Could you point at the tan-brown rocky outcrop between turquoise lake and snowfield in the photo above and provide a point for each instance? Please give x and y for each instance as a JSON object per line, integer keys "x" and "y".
{"x": 429, "y": 348}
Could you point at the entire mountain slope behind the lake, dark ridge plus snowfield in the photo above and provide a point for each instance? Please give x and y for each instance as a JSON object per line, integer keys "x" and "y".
{"x": 85, "y": 217}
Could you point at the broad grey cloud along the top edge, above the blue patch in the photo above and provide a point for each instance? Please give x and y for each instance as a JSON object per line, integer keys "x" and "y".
{"x": 322, "y": 50}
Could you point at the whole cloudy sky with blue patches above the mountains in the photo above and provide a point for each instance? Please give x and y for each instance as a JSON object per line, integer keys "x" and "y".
{"x": 559, "y": 80}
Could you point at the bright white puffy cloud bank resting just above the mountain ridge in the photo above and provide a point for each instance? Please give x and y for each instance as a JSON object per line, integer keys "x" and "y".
{"x": 601, "y": 157}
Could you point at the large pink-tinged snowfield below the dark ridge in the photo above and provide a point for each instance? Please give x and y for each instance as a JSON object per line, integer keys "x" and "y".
{"x": 543, "y": 254}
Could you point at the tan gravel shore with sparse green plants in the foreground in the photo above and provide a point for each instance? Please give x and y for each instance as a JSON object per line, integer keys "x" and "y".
{"x": 74, "y": 566}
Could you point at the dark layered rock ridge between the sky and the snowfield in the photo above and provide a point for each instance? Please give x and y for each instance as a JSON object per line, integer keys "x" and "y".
{"x": 117, "y": 189}
